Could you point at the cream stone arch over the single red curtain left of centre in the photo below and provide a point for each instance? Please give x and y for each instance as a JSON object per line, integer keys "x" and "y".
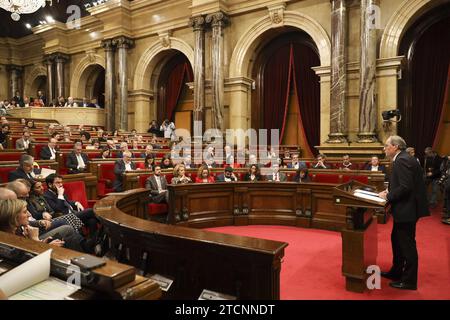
{"x": 151, "y": 58}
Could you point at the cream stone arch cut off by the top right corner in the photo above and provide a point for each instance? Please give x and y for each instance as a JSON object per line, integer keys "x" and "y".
{"x": 408, "y": 12}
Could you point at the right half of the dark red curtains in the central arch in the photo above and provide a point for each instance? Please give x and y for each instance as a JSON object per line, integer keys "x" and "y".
{"x": 308, "y": 92}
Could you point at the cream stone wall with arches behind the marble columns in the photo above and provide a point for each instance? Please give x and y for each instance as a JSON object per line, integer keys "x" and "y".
{"x": 148, "y": 21}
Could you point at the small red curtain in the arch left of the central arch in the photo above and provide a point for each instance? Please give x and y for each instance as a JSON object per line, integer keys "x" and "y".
{"x": 177, "y": 79}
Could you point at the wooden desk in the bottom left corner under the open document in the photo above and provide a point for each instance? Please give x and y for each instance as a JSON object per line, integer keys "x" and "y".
{"x": 111, "y": 281}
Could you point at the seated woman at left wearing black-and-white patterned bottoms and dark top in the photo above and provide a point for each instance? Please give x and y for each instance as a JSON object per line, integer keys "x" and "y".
{"x": 40, "y": 209}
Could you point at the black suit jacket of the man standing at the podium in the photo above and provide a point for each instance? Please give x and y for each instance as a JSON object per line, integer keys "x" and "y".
{"x": 407, "y": 193}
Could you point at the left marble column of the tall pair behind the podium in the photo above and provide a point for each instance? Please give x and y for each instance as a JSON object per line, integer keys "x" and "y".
{"x": 338, "y": 123}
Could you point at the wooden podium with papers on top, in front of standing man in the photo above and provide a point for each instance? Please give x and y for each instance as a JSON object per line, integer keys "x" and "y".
{"x": 359, "y": 236}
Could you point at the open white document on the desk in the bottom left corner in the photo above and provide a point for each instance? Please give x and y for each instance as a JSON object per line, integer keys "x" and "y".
{"x": 31, "y": 281}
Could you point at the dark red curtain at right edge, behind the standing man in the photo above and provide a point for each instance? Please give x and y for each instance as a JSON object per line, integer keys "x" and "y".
{"x": 429, "y": 73}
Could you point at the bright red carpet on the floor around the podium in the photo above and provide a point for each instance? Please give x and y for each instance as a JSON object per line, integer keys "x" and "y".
{"x": 312, "y": 264}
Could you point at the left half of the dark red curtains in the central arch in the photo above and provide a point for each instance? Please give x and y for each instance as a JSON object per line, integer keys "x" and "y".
{"x": 277, "y": 77}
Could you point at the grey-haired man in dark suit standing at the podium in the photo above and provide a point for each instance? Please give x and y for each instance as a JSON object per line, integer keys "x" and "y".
{"x": 408, "y": 199}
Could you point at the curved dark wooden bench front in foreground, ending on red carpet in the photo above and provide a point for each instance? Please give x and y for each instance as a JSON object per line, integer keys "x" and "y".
{"x": 244, "y": 267}
